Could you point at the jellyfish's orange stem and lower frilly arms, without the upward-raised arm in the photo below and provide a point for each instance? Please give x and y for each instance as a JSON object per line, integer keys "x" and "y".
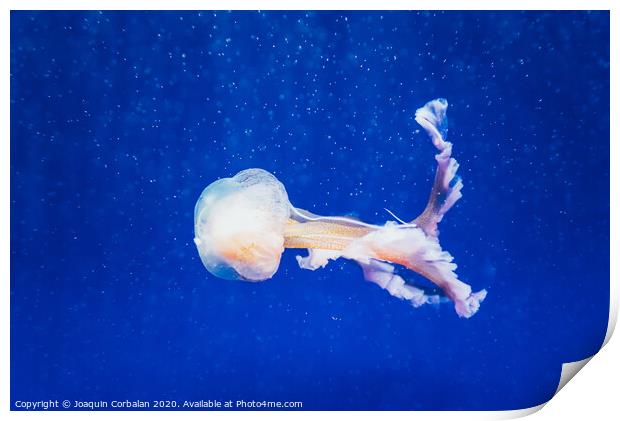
{"x": 375, "y": 249}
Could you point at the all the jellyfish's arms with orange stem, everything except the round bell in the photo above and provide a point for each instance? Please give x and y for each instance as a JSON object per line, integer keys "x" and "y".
{"x": 414, "y": 245}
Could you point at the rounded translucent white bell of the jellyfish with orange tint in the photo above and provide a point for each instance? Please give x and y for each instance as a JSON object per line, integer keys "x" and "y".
{"x": 239, "y": 225}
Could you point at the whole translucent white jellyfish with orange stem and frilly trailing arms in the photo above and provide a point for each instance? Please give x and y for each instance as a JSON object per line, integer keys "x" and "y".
{"x": 244, "y": 223}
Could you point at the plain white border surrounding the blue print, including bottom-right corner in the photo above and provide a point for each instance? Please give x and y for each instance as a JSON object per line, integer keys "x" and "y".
{"x": 592, "y": 396}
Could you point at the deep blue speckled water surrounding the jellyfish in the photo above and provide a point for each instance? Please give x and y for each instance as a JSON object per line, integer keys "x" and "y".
{"x": 120, "y": 119}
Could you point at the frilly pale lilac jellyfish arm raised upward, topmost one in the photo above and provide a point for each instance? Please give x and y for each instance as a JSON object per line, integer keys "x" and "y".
{"x": 447, "y": 185}
